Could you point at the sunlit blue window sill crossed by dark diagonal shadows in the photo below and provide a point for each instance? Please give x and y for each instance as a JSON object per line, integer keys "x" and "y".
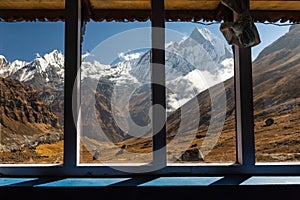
{"x": 149, "y": 181}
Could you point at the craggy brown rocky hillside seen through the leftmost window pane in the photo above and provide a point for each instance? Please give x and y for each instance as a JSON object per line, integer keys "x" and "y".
{"x": 26, "y": 121}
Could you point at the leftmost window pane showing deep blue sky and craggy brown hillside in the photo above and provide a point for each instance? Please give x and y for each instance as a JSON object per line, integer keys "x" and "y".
{"x": 31, "y": 93}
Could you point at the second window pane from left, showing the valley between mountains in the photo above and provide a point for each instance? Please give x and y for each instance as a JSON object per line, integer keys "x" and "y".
{"x": 116, "y": 93}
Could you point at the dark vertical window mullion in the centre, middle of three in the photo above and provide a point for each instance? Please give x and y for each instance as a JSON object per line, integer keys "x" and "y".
{"x": 158, "y": 82}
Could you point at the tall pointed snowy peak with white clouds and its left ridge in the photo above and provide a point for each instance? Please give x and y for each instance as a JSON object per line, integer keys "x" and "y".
{"x": 192, "y": 65}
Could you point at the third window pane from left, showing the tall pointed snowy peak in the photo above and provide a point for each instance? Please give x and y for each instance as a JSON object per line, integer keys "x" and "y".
{"x": 200, "y": 95}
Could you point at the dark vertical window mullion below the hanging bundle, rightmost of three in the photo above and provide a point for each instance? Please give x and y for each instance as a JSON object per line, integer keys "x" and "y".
{"x": 244, "y": 104}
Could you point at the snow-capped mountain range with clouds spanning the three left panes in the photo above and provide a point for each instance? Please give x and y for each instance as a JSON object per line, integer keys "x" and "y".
{"x": 192, "y": 65}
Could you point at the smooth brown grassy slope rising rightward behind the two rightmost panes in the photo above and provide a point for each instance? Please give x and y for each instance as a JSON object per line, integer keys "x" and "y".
{"x": 276, "y": 74}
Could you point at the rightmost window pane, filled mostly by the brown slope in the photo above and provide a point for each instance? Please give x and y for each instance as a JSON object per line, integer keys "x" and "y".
{"x": 276, "y": 75}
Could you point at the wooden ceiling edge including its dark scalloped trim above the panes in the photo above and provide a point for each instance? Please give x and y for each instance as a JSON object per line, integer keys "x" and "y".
{"x": 130, "y": 10}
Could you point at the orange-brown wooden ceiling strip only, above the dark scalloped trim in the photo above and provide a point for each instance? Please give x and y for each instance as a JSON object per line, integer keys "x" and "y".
{"x": 145, "y": 4}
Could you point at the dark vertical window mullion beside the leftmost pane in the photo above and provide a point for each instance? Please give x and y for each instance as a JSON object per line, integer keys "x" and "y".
{"x": 72, "y": 65}
